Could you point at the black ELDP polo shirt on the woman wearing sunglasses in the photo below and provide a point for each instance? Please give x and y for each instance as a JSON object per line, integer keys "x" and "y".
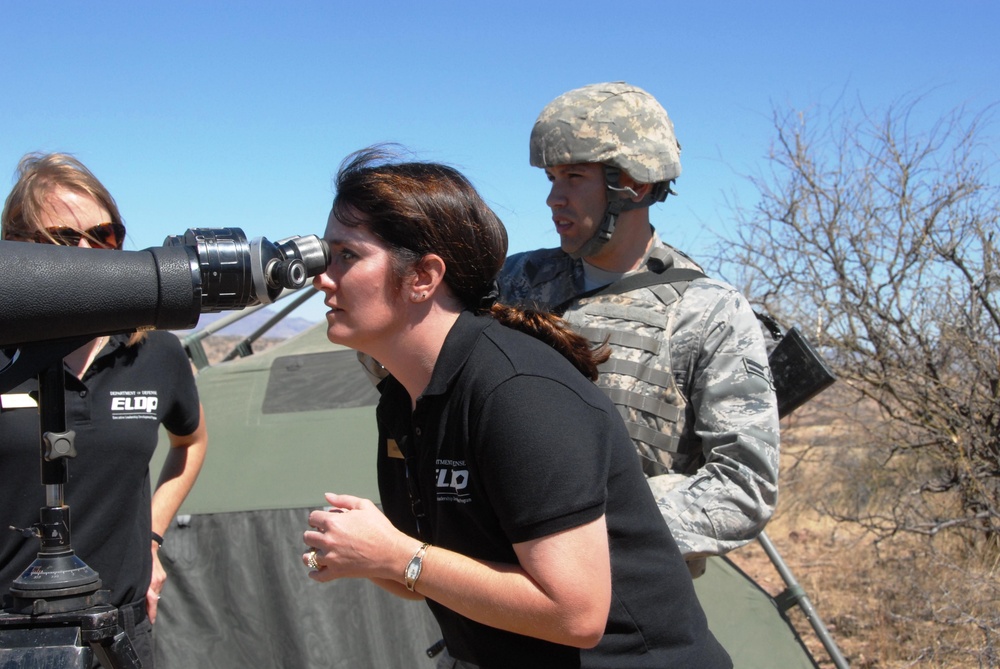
{"x": 116, "y": 411}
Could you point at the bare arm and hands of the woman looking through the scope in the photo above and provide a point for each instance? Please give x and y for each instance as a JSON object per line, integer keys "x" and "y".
{"x": 560, "y": 589}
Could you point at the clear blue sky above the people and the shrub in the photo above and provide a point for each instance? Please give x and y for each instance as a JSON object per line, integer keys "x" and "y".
{"x": 237, "y": 114}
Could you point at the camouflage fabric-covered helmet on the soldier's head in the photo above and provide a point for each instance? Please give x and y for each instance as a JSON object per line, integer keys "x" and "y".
{"x": 612, "y": 123}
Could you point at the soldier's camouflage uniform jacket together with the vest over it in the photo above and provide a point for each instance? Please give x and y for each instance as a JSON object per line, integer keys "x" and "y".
{"x": 689, "y": 374}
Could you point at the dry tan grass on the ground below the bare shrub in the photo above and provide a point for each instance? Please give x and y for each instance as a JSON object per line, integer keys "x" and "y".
{"x": 904, "y": 602}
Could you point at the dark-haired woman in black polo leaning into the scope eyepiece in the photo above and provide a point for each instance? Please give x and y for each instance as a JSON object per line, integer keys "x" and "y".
{"x": 514, "y": 503}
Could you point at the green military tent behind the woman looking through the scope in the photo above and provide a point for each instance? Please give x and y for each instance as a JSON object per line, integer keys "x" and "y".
{"x": 286, "y": 425}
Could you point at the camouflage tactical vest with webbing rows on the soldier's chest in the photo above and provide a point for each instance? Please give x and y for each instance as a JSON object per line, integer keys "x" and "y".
{"x": 638, "y": 377}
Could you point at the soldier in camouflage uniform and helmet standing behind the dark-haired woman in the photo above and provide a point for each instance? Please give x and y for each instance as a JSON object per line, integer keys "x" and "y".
{"x": 689, "y": 369}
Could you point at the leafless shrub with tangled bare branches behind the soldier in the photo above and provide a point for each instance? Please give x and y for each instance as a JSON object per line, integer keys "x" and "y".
{"x": 879, "y": 239}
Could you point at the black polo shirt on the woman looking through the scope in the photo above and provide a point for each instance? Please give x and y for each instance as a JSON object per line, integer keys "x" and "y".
{"x": 509, "y": 443}
